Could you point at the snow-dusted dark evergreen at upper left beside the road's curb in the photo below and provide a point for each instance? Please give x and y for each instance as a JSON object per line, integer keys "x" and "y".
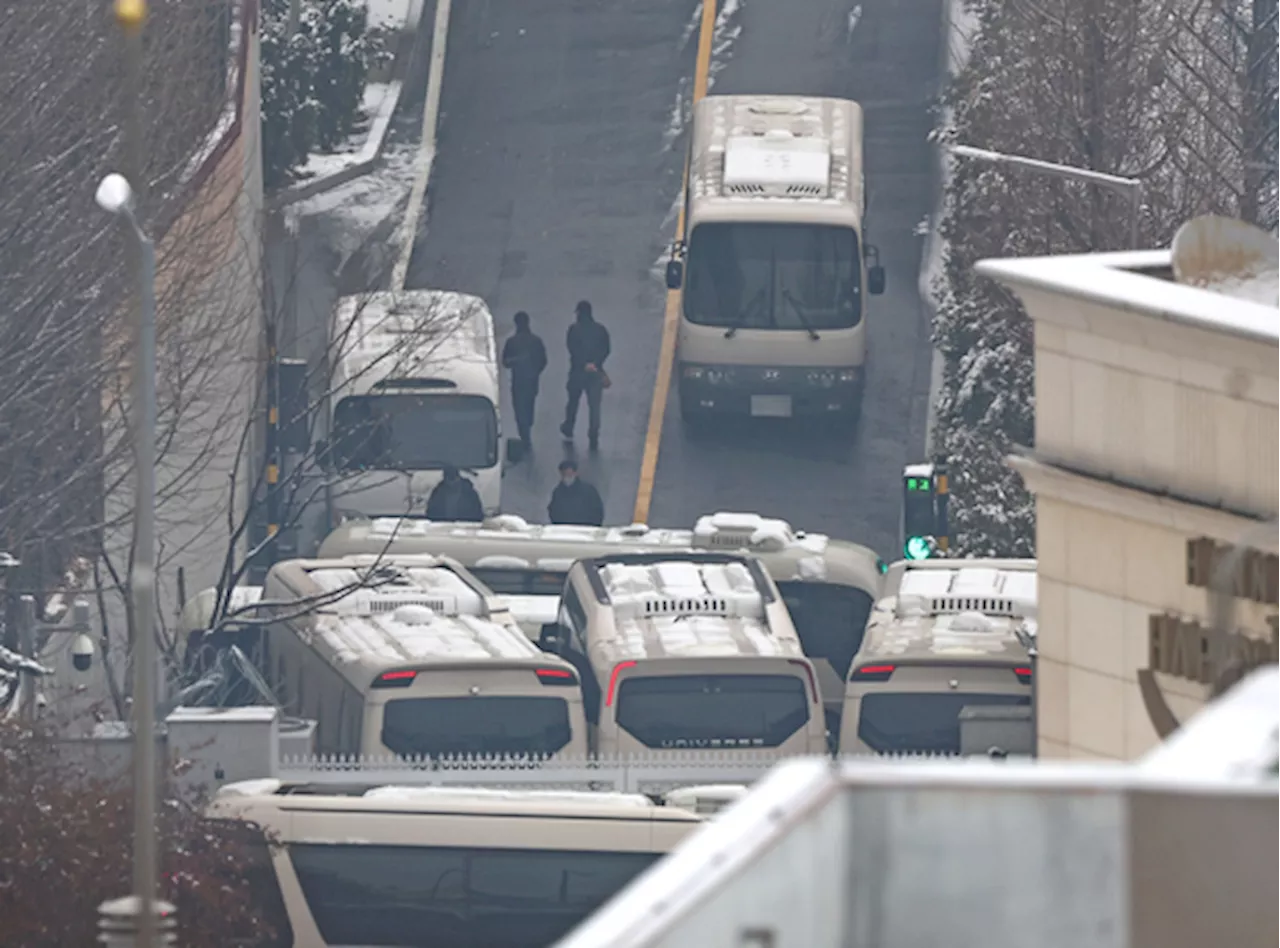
{"x": 313, "y": 80}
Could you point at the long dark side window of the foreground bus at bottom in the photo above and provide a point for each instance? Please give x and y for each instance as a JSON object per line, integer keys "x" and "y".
{"x": 452, "y": 897}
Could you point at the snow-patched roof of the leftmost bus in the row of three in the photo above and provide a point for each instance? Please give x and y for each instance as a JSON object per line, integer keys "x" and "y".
{"x": 413, "y": 611}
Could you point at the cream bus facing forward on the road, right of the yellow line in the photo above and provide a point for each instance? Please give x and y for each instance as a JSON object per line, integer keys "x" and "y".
{"x": 775, "y": 271}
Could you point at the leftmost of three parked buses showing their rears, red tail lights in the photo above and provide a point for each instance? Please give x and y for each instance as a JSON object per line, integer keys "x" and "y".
{"x": 413, "y": 657}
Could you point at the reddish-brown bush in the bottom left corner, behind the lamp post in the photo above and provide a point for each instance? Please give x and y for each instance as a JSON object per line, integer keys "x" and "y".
{"x": 66, "y": 848}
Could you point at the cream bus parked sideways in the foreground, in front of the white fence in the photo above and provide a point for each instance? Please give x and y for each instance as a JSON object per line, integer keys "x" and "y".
{"x": 414, "y": 867}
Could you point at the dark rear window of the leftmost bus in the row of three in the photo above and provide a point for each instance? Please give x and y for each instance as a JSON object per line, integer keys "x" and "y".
{"x": 511, "y": 725}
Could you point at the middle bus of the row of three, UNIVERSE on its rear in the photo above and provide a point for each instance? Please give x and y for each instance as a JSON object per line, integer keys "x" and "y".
{"x": 688, "y": 652}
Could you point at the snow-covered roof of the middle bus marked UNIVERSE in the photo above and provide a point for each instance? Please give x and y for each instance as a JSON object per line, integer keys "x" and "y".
{"x": 683, "y": 610}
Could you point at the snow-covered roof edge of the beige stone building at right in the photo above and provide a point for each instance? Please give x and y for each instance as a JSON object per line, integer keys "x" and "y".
{"x": 1114, "y": 281}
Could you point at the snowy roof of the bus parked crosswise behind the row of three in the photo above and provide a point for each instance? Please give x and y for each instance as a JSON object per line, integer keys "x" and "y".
{"x": 511, "y": 543}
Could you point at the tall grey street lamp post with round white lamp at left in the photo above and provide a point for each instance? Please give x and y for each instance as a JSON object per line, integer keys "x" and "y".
{"x": 116, "y": 196}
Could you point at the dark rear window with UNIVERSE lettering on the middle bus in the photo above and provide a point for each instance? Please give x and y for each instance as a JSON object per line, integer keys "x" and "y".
{"x": 714, "y": 711}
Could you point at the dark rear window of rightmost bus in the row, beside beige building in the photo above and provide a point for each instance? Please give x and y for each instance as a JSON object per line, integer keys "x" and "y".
{"x": 921, "y": 722}
